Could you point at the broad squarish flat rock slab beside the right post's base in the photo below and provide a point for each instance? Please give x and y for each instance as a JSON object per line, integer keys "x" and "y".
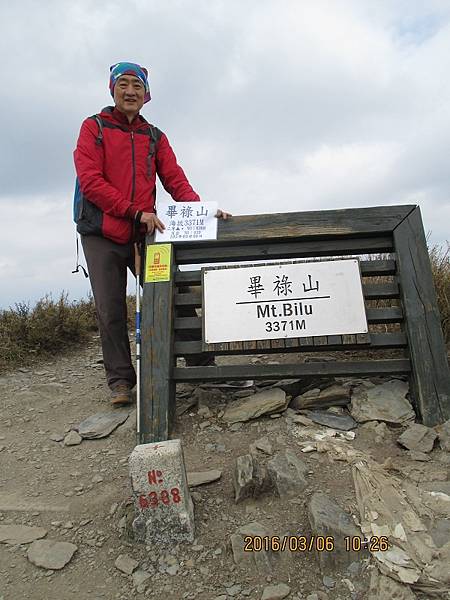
{"x": 386, "y": 402}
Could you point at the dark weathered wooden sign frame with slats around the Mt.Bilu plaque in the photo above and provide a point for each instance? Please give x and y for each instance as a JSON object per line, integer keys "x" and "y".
{"x": 403, "y": 283}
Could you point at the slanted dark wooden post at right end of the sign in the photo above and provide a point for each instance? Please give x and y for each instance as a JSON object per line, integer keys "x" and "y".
{"x": 430, "y": 375}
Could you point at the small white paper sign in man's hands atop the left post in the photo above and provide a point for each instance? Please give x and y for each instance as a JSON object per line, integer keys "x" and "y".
{"x": 187, "y": 221}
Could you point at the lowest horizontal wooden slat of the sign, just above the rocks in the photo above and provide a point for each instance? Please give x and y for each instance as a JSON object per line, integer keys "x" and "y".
{"x": 330, "y": 369}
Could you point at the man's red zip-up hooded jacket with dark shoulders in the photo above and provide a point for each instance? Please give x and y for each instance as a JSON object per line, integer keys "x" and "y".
{"x": 117, "y": 169}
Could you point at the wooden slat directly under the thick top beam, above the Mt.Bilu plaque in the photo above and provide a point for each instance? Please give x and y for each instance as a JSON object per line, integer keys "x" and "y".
{"x": 283, "y": 250}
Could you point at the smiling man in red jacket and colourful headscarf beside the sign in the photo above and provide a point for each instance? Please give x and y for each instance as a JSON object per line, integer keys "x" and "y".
{"x": 117, "y": 158}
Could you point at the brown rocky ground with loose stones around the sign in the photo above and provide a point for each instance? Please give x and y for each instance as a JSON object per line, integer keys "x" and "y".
{"x": 279, "y": 468}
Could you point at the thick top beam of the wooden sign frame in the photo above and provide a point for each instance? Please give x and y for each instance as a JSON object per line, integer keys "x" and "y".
{"x": 312, "y": 224}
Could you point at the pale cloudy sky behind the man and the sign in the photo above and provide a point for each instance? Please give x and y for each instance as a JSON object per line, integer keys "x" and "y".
{"x": 270, "y": 105}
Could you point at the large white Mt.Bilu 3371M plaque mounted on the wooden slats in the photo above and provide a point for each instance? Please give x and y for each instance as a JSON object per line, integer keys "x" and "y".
{"x": 287, "y": 300}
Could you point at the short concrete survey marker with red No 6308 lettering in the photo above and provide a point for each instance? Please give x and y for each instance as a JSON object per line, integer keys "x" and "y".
{"x": 162, "y": 500}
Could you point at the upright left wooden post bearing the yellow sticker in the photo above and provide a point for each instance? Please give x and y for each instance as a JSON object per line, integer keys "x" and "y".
{"x": 158, "y": 386}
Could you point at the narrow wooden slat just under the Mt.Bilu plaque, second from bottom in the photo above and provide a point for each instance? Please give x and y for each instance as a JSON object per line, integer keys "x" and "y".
{"x": 378, "y": 341}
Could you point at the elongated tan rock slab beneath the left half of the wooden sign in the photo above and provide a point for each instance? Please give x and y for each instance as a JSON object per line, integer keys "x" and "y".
{"x": 251, "y": 407}
